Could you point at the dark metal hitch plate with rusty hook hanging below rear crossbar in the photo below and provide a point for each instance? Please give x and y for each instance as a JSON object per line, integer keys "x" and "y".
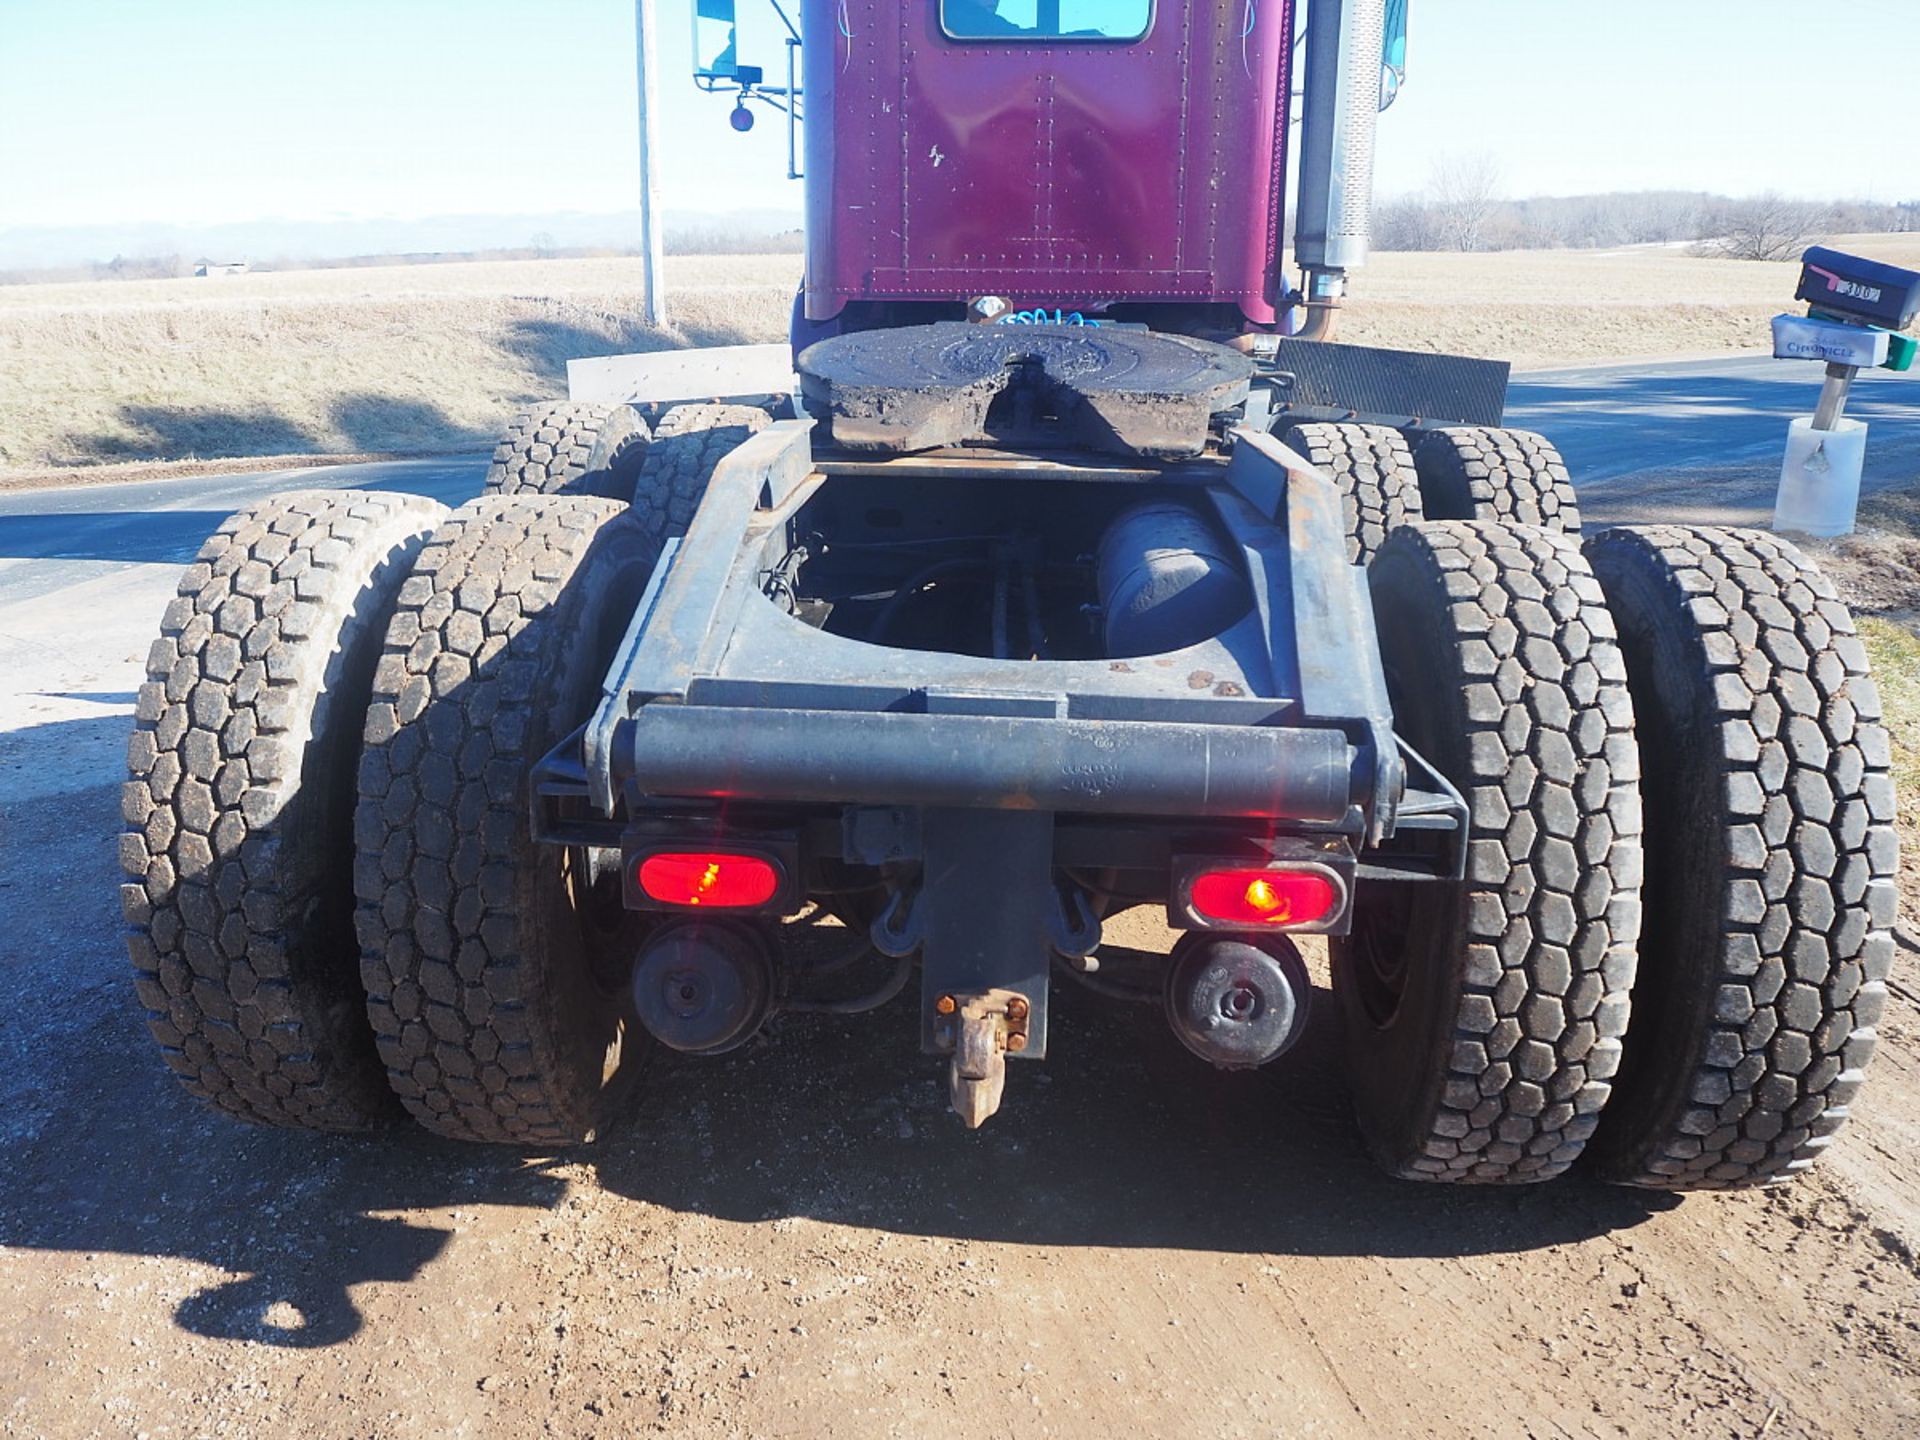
{"x": 988, "y": 923}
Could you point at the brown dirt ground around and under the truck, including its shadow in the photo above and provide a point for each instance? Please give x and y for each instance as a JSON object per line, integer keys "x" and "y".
{"x": 802, "y": 1241}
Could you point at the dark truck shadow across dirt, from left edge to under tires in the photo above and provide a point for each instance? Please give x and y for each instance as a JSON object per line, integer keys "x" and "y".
{"x": 1120, "y": 1140}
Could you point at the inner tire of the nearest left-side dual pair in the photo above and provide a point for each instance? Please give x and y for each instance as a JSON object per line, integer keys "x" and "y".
{"x": 496, "y": 969}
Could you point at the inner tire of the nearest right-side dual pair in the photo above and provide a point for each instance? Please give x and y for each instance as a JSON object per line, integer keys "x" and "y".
{"x": 1485, "y": 1019}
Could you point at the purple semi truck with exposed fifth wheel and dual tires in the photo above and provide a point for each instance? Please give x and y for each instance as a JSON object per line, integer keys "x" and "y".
{"x": 1063, "y": 564}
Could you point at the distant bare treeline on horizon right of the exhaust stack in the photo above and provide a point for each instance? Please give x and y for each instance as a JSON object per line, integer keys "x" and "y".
{"x": 1462, "y": 210}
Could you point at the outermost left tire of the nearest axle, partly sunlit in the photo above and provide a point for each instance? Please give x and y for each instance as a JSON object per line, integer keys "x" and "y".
{"x": 241, "y": 811}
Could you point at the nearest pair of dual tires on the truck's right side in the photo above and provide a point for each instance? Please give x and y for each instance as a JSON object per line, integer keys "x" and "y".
{"x": 1671, "y": 946}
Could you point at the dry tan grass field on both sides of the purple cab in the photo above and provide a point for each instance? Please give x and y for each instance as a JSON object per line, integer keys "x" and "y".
{"x": 435, "y": 358}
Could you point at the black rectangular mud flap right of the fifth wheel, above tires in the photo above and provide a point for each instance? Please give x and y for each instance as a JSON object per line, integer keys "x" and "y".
{"x": 1320, "y": 381}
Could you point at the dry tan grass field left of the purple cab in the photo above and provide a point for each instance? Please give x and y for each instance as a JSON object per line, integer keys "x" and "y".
{"x": 408, "y": 358}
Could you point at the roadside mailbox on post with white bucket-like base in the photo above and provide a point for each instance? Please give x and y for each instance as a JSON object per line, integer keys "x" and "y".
{"x": 1856, "y": 310}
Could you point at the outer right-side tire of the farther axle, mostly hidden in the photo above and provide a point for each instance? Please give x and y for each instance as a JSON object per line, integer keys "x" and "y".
{"x": 1483, "y": 473}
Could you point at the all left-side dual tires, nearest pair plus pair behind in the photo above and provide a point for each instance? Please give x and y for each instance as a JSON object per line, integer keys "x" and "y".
{"x": 333, "y": 894}
